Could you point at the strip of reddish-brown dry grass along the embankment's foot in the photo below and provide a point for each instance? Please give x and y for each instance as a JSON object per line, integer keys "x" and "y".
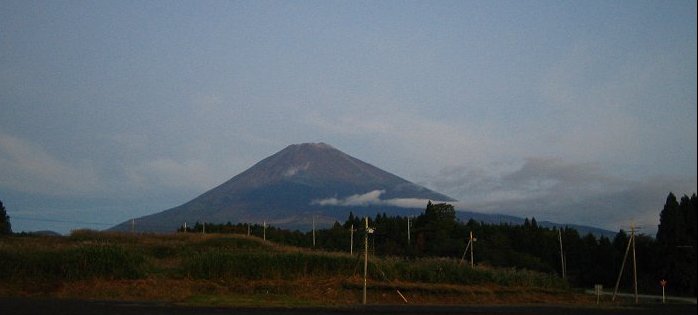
{"x": 308, "y": 291}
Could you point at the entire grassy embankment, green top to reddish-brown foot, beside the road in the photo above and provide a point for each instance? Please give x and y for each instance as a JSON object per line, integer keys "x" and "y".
{"x": 200, "y": 269}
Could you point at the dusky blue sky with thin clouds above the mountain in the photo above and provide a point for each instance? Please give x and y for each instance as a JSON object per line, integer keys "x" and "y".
{"x": 568, "y": 111}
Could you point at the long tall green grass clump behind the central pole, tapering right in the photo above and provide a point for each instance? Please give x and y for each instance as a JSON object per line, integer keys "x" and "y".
{"x": 255, "y": 266}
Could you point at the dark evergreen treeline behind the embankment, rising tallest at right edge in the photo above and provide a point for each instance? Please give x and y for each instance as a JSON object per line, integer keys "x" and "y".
{"x": 588, "y": 259}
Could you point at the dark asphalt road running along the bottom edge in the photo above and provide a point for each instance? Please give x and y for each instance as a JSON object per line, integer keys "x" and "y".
{"x": 22, "y": 306}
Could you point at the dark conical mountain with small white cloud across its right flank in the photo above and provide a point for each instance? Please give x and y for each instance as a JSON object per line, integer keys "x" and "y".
{"x": 293, "y": 185}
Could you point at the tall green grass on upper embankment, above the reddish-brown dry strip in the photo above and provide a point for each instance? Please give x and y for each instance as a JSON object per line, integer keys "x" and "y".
{"x": 89, "y": 254}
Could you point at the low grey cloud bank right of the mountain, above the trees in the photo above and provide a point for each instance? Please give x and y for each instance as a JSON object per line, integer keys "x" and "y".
{"x": 555, "y": 190}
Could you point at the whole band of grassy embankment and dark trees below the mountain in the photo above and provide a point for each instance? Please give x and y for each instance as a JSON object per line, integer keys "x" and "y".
{"x": 511, "y": 262}
